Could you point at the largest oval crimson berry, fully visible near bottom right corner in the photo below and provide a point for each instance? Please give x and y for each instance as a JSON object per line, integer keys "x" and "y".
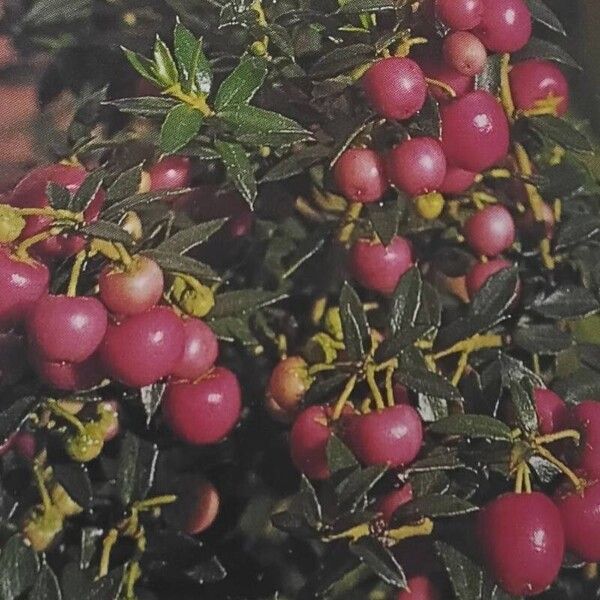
{"x": 523, "y": 541}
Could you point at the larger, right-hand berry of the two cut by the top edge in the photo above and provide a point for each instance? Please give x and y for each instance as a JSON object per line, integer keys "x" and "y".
{"x": 505, "y": 26}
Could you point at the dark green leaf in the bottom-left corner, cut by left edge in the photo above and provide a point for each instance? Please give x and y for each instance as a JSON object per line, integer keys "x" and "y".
{"x": 18, "y": 568}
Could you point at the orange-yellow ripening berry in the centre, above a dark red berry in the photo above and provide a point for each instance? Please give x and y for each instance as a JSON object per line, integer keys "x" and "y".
{"x": 287, "y": 386}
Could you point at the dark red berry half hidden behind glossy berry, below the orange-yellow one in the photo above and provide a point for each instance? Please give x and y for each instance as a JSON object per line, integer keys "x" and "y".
{"x": 308, "y": 442}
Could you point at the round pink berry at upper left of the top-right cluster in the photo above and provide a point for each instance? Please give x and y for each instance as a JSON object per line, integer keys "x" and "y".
{"x": 395, "y": 88}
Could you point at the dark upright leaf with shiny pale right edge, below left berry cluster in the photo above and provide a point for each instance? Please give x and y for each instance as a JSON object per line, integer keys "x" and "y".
{"x": 136, "y": 470}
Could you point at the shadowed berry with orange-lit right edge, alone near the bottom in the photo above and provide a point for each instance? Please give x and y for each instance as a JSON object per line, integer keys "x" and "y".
{"x": 197, "y": 504}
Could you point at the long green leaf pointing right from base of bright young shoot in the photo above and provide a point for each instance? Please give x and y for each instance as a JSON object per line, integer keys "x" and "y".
{"x": 265, "y": 126}
